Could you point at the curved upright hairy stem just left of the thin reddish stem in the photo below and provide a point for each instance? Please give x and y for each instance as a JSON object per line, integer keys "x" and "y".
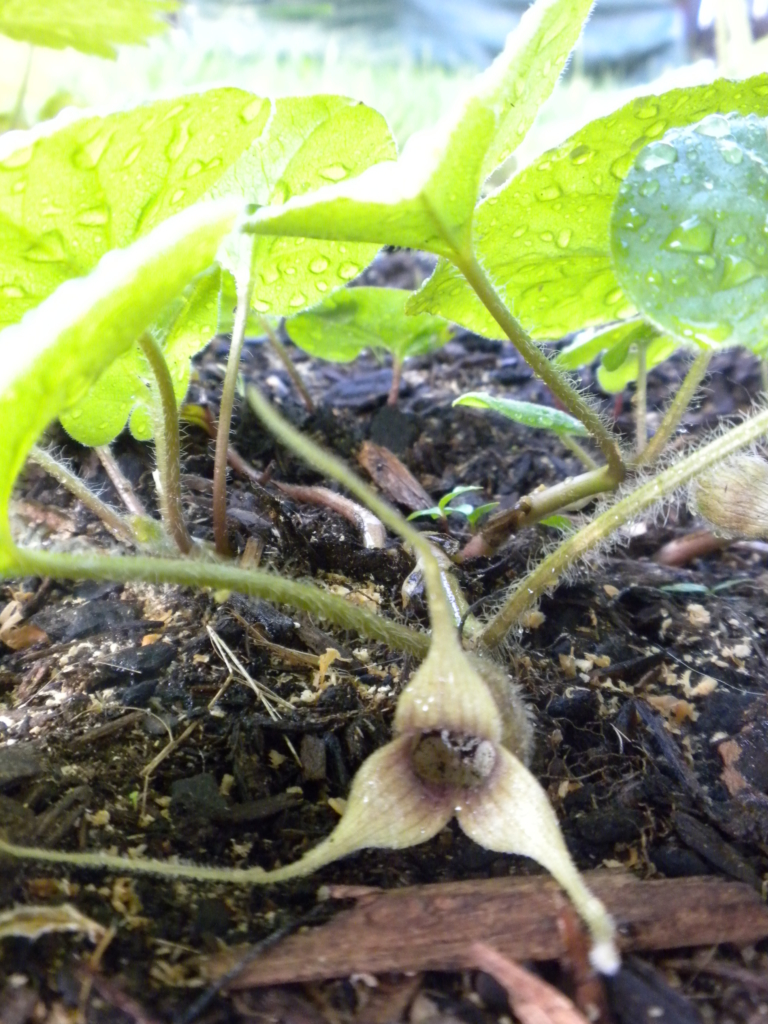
{"x": 167, "y": 444}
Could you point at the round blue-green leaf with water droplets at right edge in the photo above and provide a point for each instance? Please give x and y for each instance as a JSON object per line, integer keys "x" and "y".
{"x": 690, "y": 233}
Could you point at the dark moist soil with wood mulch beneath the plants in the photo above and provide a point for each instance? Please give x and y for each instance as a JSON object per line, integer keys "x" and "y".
{"x": 648, "y": 685}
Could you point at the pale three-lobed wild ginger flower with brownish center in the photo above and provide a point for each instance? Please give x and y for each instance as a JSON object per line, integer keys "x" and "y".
{"x": 461, "y": 738}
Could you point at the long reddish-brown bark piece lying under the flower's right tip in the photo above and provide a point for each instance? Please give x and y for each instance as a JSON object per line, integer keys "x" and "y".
{"x": 433, "y": 928}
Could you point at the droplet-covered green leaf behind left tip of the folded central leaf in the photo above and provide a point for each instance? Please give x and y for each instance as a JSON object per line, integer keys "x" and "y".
{"x": 310, "y": 142}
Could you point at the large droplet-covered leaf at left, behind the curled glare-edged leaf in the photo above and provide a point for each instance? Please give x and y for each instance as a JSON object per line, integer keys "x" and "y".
{"x": 70, "y": 193}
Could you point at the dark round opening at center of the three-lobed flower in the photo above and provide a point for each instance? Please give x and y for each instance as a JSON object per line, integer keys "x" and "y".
{"x": 453, "y": 761}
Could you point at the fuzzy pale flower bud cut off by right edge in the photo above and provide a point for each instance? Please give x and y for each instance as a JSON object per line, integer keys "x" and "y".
{"x": 734, "y": 498}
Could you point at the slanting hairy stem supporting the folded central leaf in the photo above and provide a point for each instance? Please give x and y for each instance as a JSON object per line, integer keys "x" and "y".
{"x": 543, "y": 367}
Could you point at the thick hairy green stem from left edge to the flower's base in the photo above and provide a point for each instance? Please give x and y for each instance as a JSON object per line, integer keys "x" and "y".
{"x": 217, "y": 576}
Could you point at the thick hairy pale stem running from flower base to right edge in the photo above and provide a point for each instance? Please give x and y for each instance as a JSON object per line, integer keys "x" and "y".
{"x": 548, "y": 573}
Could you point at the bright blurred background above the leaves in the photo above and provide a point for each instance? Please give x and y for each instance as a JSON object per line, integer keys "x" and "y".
{"x": 408, "y": 58}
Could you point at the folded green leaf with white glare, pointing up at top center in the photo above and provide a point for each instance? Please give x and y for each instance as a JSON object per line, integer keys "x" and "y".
{"x": 426, "y": 199}
